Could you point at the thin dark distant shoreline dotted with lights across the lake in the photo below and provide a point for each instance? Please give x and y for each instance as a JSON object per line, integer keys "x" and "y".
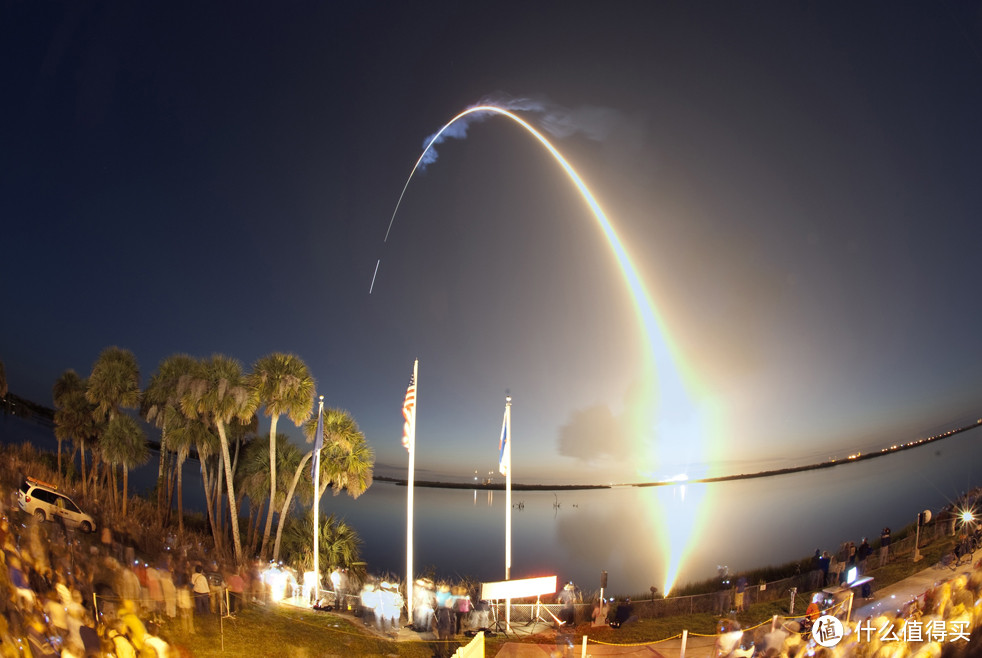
{"x": 858, "y": 457}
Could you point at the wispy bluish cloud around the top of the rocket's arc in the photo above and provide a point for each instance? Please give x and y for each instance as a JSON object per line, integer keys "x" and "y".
{"x": 594, "y": 123}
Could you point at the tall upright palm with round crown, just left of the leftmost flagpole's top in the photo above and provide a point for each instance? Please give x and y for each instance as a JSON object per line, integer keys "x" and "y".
{"x": 284, "y": 386}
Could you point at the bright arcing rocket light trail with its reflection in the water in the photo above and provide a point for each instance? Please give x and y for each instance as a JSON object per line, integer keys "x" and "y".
{"x": 668, "y": 425}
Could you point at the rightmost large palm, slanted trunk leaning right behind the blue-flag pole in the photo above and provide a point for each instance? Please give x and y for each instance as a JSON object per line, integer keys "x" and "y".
{"x": 347, "y": 462}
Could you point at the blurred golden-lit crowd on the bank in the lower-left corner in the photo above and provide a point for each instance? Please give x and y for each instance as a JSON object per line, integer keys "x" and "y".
{"x": 66, "y": 593}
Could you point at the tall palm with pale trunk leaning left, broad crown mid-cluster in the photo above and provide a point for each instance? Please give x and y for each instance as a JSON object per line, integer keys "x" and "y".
{"x": 218, "y": 390}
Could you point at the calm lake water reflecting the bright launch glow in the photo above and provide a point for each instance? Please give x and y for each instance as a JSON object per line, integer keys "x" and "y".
{"x": 576, "y": 534}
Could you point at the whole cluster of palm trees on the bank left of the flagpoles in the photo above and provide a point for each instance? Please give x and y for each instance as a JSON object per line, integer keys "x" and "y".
{"x": 209, "y": 406}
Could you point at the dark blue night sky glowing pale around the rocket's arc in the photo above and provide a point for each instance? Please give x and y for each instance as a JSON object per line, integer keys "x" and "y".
{"x": 797, "y": 183}
